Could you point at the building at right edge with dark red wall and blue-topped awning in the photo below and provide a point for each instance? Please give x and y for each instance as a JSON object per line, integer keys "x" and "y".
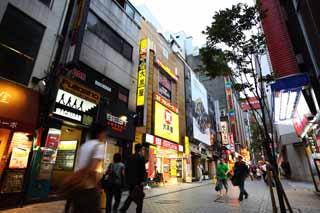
{"x": 290, "y": 28}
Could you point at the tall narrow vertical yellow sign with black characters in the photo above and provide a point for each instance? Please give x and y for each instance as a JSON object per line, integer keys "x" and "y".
{"x": 142, "y": 72}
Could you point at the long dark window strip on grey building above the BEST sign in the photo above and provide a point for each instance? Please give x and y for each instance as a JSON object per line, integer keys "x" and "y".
{"x": 108, "y": 35}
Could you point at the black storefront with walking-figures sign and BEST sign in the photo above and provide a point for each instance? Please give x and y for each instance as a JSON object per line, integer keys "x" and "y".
{"x": 84, "y": 97}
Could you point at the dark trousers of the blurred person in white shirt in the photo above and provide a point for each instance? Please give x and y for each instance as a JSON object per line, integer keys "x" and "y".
{"x": 86, "y": 200}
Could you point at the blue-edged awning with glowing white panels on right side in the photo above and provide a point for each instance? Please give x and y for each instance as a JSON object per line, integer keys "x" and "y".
{"x": 286, "y": 93}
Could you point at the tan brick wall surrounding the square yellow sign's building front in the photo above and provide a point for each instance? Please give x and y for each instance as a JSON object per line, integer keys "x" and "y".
{"x": 161, "y": 49}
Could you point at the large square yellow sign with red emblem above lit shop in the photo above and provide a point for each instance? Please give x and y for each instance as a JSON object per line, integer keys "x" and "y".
{"x": 166, "y": 123}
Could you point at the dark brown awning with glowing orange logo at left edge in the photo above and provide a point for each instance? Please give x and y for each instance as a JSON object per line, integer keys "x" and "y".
{"x": 18, "y": 107}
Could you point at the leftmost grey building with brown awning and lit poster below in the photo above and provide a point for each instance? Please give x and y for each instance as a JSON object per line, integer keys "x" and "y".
{"x": 28, "y": 40}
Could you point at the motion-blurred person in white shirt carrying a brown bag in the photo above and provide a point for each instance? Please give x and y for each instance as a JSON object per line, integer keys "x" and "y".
{"x": 81, "y": 187}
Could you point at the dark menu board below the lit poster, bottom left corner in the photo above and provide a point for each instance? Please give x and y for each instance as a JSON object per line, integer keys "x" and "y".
{"x": 12, "y": 181}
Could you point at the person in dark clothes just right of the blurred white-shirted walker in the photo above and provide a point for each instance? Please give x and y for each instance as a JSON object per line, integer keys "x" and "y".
{"x": 115, "y": 173}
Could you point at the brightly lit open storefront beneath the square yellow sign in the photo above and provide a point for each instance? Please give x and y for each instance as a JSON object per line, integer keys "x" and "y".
{"x": 165, "y": 158}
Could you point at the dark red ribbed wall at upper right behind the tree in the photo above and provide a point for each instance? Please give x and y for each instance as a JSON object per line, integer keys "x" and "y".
{"x": 278, "y": 41}
